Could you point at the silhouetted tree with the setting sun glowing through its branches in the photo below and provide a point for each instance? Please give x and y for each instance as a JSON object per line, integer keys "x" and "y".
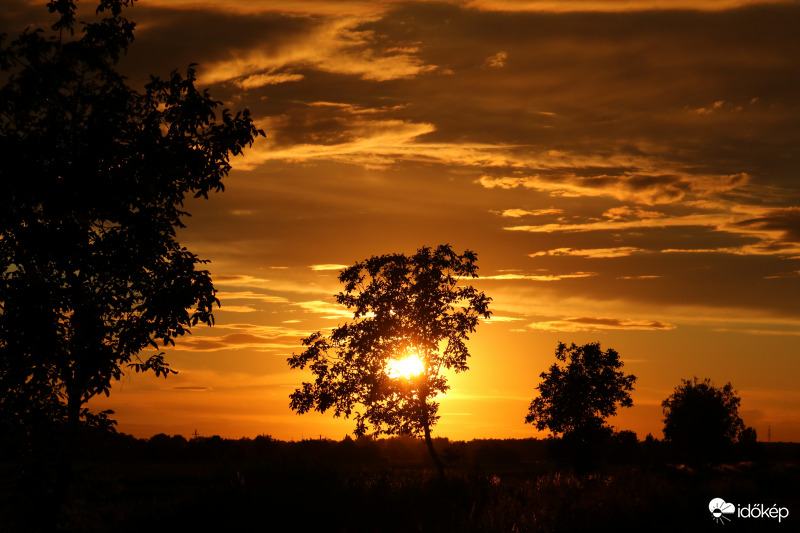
{"x": 411, "y": 321}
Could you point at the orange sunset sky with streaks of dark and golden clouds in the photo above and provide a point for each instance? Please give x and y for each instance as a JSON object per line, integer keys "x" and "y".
{"x": 626, "y": 172}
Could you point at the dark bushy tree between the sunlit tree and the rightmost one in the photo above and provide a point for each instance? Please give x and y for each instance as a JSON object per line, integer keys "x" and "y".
{"x": 576, "y": 398}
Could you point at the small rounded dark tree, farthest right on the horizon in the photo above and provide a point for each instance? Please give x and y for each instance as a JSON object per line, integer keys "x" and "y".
{"x": 702, "y": 420}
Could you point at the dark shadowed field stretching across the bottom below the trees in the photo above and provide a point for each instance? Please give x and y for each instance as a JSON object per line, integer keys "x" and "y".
{"x": 171, "y": 484}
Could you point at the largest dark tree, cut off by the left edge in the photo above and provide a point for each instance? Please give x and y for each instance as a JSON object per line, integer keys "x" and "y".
{"x": 94, "y": 178}
